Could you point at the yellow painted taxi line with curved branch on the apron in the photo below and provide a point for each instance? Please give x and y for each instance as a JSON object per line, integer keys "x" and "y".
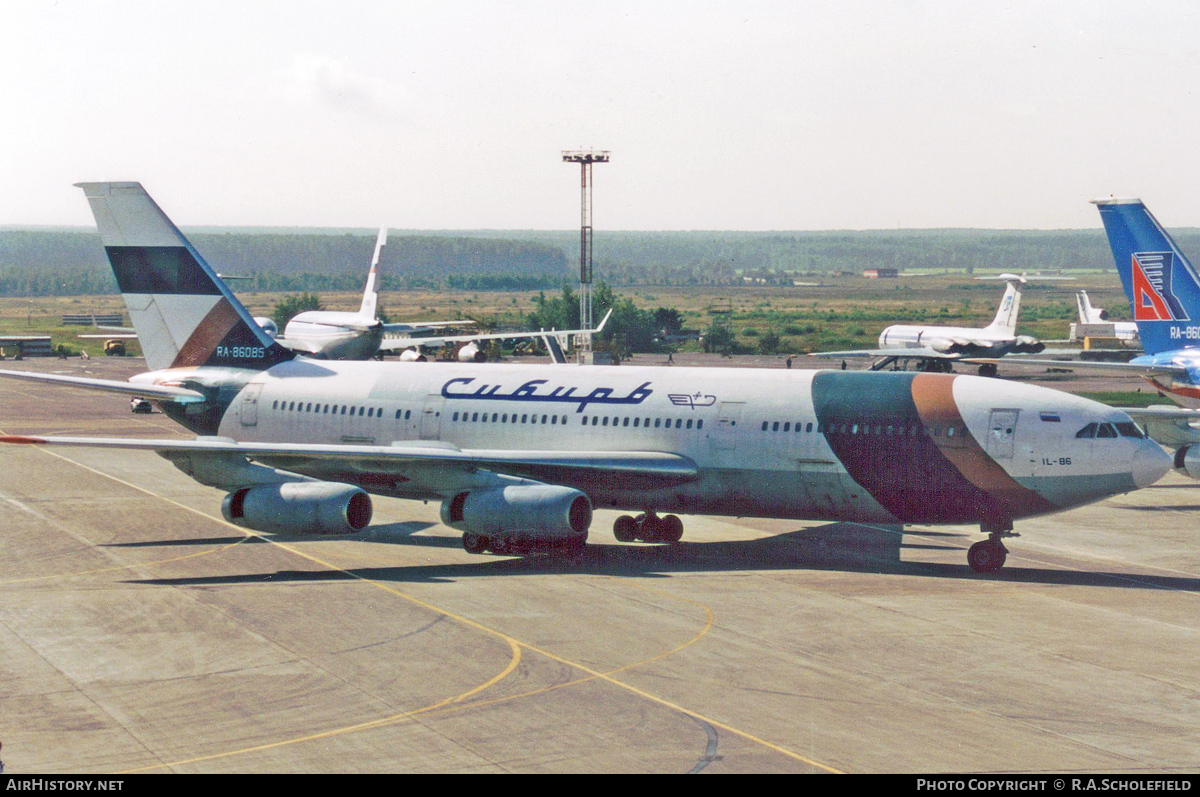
{"x": 515, "y": 644}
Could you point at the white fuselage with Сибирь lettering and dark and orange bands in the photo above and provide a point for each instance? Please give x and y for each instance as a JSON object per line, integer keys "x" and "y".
{"x": 765, "y": 444}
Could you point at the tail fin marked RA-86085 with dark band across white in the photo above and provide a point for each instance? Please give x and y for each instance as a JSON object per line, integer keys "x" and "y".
{"x": 183, "y": 313}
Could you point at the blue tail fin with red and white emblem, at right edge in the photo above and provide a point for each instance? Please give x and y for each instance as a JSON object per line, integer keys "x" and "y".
{"x": 1162, "y": 285}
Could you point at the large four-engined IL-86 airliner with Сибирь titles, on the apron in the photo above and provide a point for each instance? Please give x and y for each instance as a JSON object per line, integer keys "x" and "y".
{"x": 520, "y": 456}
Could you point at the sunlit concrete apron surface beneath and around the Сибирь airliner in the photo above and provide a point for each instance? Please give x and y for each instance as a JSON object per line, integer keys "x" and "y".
{"x": 141, "y": 633}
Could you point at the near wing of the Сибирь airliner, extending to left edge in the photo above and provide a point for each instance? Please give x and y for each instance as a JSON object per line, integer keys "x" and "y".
{"x": 415, "y": 462}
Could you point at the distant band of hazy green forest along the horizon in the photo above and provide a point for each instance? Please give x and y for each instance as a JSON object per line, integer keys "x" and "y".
{"x": 70, "y": 261}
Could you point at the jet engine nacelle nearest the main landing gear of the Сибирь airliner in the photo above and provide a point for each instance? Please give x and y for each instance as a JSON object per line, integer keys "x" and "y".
{"x": 530, "y": 512}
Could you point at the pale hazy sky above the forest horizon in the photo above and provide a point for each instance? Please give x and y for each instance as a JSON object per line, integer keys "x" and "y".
{"x": 719, "y": 116}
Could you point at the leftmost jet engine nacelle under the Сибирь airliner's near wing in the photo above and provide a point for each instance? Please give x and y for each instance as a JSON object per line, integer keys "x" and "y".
{"x": 299, "y": 508}
